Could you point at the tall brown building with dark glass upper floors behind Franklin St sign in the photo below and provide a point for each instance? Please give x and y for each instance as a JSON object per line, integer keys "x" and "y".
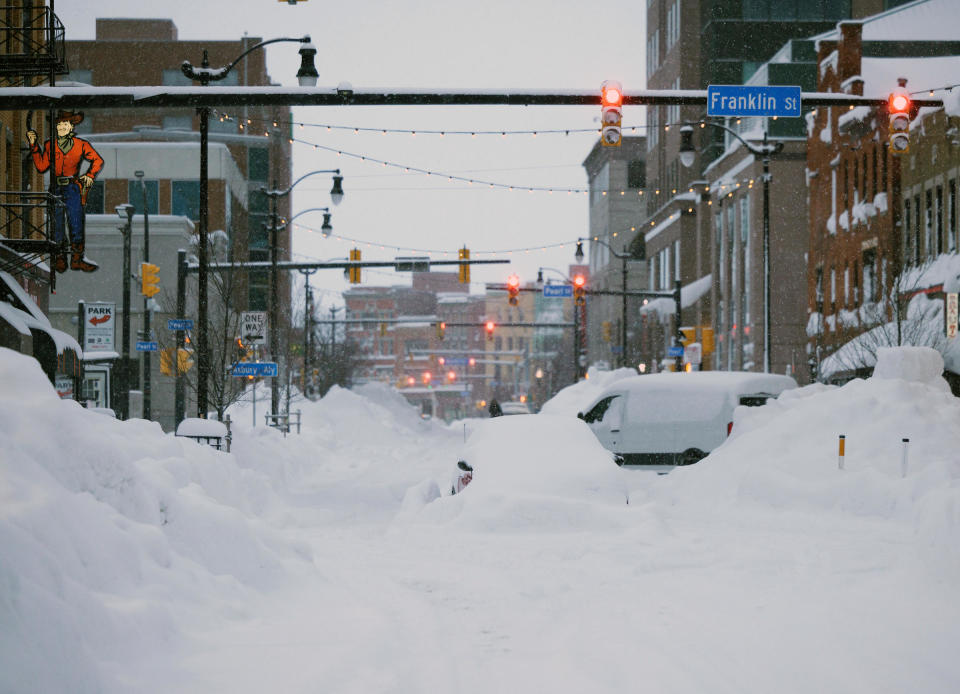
{"x": 692, "y": 44}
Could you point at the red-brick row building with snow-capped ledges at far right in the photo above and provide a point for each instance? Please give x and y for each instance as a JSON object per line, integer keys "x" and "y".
{"x": 877, "y": 219}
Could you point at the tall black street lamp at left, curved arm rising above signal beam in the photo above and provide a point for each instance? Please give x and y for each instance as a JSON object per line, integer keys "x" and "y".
{"x": 307, "y": 77}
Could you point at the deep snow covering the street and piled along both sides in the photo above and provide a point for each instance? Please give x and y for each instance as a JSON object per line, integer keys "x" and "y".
{"x": 134, "y": 561}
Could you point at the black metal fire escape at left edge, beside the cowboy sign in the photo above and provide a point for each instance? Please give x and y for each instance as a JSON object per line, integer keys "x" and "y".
{"x": 32, "y": 50}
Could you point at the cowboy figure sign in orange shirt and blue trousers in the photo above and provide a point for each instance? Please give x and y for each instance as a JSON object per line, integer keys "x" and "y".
{"x": 66, "y": 182}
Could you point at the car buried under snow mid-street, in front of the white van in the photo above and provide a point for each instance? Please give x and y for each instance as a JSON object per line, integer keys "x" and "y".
{"x": 539, "y": 454}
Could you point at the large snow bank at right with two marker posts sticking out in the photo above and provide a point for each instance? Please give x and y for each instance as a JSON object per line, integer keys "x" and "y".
{"x": 785, "y": 454}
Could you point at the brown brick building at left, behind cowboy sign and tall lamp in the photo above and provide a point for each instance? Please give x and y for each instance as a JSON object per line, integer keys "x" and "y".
{"x": 127, "y": 52}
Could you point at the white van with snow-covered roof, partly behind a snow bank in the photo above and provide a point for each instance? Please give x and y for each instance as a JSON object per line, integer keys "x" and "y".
{"x": 675, "y": 418}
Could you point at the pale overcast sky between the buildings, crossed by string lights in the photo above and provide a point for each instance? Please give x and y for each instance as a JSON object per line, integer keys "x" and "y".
{"x": 531, "y": 44}
